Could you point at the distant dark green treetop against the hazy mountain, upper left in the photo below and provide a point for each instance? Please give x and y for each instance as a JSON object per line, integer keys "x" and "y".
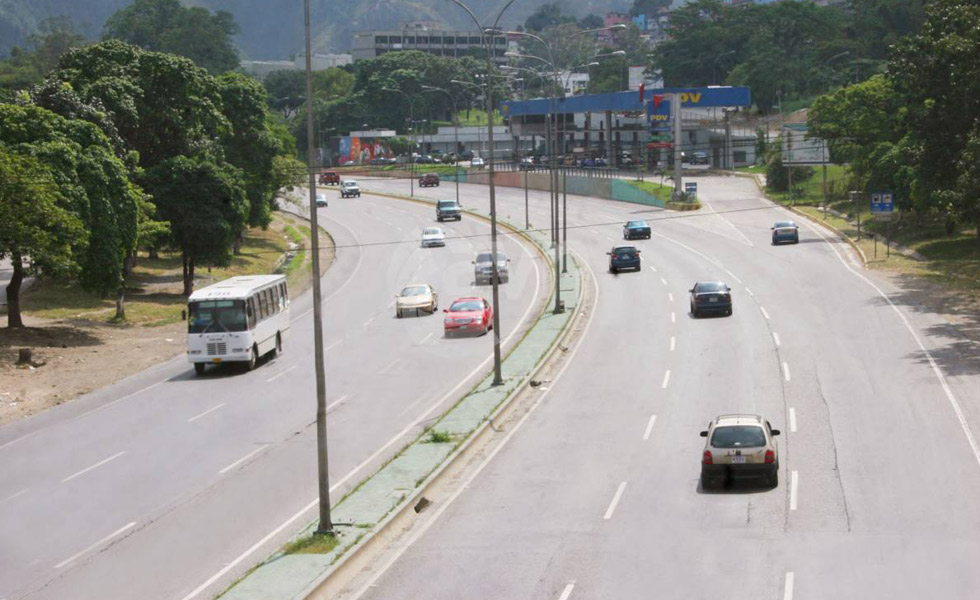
{"x": 167, "y": 26}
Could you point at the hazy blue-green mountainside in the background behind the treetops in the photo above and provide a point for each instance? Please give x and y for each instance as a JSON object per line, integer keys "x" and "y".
{"x": 273, "y": 29}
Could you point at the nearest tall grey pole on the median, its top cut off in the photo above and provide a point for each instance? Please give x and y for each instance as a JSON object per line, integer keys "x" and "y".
{"x": 325, "y": 526}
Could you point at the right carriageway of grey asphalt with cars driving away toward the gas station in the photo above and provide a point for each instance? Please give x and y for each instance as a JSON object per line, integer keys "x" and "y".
{"x": 597, "y": 495}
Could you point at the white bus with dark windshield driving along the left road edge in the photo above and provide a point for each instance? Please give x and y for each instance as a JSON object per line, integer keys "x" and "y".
{"x": 237, "y": 320}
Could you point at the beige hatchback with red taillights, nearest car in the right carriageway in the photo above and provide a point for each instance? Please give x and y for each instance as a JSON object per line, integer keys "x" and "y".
{"x": 739, "y": 447}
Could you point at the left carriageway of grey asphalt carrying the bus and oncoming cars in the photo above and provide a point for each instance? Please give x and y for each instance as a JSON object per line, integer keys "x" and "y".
{"x": 170, "y": 486}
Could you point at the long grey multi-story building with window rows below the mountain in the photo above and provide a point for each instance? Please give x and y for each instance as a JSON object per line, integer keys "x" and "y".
{"x": 425, "y": 36}
